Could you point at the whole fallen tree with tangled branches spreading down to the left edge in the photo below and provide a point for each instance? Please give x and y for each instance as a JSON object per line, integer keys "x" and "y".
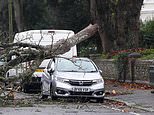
{"x": 28, "y": 52}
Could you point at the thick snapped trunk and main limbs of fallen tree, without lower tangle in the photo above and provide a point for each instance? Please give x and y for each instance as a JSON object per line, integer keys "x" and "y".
{"x": 42, "y": 52}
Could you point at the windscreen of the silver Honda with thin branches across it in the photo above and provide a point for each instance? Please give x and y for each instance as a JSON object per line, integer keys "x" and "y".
{"x": 77, "y": 65}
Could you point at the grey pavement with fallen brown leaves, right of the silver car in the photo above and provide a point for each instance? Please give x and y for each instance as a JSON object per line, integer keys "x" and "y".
{"x": 137, "y": 98}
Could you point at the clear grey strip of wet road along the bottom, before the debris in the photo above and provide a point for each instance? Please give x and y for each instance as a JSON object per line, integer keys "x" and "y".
{"x": 67, "y": 108}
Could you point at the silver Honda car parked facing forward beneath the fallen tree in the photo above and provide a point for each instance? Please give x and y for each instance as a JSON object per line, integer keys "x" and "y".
{"x": 75, "y": 77}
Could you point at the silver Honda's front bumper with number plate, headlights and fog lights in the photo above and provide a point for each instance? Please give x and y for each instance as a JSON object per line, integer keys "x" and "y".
{"x": 67, "y": 90}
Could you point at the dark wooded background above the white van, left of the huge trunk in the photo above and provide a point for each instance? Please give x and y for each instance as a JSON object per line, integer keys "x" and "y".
{"x": 42, "y": 14}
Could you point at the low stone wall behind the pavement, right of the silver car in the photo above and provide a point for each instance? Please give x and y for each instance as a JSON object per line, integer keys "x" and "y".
{"x": 109, "y": 69}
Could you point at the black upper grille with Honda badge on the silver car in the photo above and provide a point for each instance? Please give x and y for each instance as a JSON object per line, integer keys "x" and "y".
{"x": 80, "y": 82}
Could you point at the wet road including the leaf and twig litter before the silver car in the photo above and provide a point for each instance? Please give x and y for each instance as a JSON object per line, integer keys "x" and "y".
{"x": 34, "y": 106}
